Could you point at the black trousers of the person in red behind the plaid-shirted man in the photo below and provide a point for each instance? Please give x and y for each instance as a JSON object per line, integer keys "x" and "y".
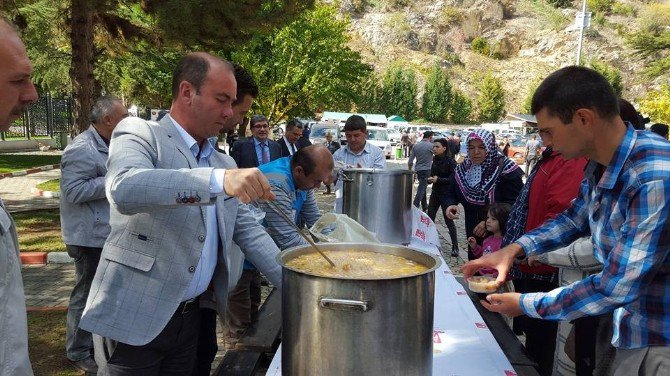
{"x": 540, "y": 334}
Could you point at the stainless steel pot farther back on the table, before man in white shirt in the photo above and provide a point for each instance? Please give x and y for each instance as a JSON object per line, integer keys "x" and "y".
{"x": 381, "y": 201}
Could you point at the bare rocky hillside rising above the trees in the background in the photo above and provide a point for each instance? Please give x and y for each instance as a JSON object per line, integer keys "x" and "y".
{"x": 529, "y": 38}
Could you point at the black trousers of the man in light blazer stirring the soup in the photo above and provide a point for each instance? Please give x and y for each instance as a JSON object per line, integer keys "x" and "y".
{"x": 172, "y": 352}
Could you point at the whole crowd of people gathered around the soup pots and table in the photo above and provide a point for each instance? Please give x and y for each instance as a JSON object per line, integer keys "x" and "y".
{"x": 169, "y": 233}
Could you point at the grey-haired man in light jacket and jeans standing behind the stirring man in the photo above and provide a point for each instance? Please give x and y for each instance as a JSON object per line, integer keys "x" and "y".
{"x": 84, "y": 215}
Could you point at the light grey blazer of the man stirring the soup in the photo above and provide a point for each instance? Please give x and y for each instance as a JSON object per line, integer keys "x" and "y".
{"x": 155, "y": 243}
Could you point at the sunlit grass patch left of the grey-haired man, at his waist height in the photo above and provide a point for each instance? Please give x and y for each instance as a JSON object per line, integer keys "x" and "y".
{"x": 39, "y": 231}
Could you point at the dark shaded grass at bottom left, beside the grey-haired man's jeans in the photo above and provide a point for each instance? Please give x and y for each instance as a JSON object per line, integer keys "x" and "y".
{"x": 46, "y": 343}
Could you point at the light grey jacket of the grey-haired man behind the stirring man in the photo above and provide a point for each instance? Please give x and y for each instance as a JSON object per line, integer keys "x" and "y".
{"x": 84, "y": 209}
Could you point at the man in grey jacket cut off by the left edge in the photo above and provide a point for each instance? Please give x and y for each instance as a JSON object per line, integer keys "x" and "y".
{"x": 16, "y": 92}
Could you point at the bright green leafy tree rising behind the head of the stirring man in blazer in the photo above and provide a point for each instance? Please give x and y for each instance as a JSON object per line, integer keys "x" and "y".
{"x": 305, "y": 66}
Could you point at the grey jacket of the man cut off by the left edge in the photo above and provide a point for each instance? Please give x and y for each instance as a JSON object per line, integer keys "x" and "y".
{"x": 13, "y": 326}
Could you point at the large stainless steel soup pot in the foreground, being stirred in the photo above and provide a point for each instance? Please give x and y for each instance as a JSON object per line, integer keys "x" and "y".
{"x": 336, "y": 326}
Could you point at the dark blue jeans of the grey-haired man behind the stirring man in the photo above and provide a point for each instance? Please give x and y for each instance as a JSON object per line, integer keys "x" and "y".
{"x": 78, "y": 342}
